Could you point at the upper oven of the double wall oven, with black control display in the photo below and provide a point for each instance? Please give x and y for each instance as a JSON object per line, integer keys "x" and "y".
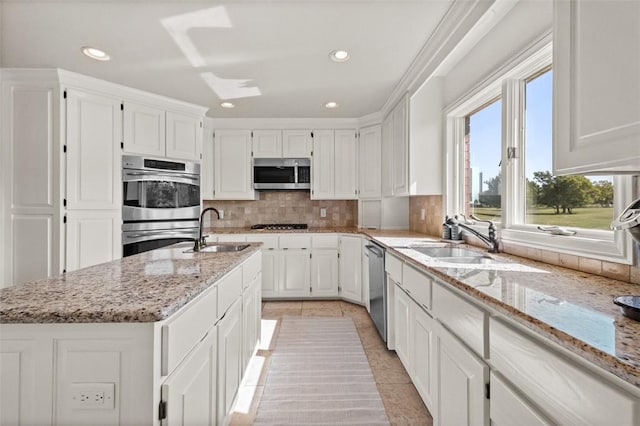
{"x": 159, "y": 189}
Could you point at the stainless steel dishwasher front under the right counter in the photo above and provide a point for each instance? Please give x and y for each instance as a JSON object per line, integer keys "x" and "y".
{"x": 377, "y": 288}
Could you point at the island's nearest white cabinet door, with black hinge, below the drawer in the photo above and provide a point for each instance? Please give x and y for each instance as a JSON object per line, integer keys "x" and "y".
{"x": 190, "y": 392}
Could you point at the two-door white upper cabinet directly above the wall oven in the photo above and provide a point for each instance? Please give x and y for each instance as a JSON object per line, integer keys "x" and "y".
{"x": 152, "y": 130}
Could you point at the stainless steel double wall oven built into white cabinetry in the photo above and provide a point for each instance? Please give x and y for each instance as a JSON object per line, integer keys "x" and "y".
{"x": 161, "y": 203}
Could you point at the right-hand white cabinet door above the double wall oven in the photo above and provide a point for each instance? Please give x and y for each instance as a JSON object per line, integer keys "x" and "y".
{"x": 184, "y": 136}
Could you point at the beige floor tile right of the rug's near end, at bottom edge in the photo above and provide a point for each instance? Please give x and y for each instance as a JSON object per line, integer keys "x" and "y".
{"x": 404, "y": 405}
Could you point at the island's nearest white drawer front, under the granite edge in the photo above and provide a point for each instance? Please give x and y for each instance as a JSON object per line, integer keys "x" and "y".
{"x": 184, "y": 331}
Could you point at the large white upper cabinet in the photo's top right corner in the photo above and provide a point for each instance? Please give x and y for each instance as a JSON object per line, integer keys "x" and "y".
{"x": 596, "y": 61}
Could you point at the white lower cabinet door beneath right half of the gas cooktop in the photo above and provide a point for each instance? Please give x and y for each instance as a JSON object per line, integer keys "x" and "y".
{"x": 295, "y": 273}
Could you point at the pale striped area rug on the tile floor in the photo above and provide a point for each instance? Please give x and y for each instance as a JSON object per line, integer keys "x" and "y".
{"x": 319, "y": 375}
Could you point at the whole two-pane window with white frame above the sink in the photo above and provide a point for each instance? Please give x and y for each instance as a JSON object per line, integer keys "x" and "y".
{"x": 500, "y": 165}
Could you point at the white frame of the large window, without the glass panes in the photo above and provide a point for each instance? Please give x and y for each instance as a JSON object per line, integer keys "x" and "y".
{"x": 509, "y": 83}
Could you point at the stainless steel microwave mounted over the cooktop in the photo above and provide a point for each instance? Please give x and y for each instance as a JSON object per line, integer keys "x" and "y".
{"x": 282, "y": 173}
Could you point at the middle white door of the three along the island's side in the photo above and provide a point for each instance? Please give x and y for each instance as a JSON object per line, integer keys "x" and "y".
{"x": 229, "y": 359}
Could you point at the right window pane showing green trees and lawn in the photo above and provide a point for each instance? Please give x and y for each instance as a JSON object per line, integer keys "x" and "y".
{"x": 565, "y": 201}
